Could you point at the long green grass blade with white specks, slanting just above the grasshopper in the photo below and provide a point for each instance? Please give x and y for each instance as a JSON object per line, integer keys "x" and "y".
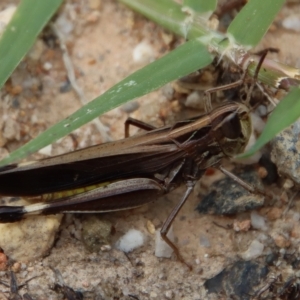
{"x": 187, "y": 58}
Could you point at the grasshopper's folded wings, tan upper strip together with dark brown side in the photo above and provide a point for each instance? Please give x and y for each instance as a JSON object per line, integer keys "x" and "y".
{"x": 139, "y": 156}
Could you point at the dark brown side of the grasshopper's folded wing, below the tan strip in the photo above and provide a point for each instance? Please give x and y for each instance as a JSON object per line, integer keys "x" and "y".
{"x": 37, "y": 179}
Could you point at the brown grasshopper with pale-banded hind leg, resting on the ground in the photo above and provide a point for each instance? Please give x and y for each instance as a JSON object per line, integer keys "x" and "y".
{"x": 129, "y": 172}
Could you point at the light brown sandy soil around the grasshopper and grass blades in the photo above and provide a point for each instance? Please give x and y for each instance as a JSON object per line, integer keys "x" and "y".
{"x": 101, "y": 44}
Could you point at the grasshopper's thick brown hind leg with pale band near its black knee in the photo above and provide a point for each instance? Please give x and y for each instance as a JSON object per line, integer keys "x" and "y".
{"x": 124, "y": 194}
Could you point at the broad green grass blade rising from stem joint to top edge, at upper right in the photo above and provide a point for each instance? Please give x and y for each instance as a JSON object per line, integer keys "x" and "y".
{"x": 253, "y": 21}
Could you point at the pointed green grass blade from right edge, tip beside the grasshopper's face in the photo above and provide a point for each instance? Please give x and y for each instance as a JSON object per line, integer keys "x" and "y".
{"x": 285, "y": 114}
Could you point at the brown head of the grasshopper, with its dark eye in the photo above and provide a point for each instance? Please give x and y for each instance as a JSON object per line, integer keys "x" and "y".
{"x": 232, "y": 127}
